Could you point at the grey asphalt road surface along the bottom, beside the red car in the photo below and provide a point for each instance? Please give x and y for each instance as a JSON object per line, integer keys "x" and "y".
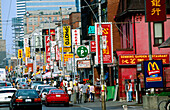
{"x": 110, "y": 105}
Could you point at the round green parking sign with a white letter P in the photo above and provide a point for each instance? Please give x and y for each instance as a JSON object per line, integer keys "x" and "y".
{"x": 82, "y": 51}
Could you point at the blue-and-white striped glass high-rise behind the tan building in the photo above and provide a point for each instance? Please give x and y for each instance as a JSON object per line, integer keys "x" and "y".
{"x": 24, "y": 6}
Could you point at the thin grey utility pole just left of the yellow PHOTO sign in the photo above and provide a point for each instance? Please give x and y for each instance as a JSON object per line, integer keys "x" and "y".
{"x": 61, "y": 18}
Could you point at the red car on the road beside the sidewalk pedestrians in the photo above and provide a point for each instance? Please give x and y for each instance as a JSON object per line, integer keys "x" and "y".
{"x": 57, "y": 96}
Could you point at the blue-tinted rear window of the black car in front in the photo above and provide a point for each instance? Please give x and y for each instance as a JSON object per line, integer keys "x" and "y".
{"x": 27, "y": 93}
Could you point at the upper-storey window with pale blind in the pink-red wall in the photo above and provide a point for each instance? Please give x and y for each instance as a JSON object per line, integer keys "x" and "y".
{"x": 158, "y": 33}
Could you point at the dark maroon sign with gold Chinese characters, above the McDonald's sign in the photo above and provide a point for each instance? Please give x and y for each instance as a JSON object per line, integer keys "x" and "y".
{"x": 155, "y": 10}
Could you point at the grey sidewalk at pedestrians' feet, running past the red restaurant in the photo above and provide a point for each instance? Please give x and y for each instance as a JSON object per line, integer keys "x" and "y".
{"x": 110, "y": 103}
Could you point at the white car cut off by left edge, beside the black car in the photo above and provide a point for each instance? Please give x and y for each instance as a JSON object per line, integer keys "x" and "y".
{"x": 5, "y": 93}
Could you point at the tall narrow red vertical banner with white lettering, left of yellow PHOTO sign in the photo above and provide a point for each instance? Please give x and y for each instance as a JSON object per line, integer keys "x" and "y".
{"x": 47, "y": 49}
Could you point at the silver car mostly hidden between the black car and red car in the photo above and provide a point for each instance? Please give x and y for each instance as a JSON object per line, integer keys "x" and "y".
{"x": 44, "y": 92}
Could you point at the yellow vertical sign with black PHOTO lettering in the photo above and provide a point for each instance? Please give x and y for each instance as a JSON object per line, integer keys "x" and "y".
{"x": 66, "y": 36}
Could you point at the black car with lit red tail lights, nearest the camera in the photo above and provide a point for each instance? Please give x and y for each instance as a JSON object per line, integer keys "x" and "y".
{"x": 25, "y": 99}
